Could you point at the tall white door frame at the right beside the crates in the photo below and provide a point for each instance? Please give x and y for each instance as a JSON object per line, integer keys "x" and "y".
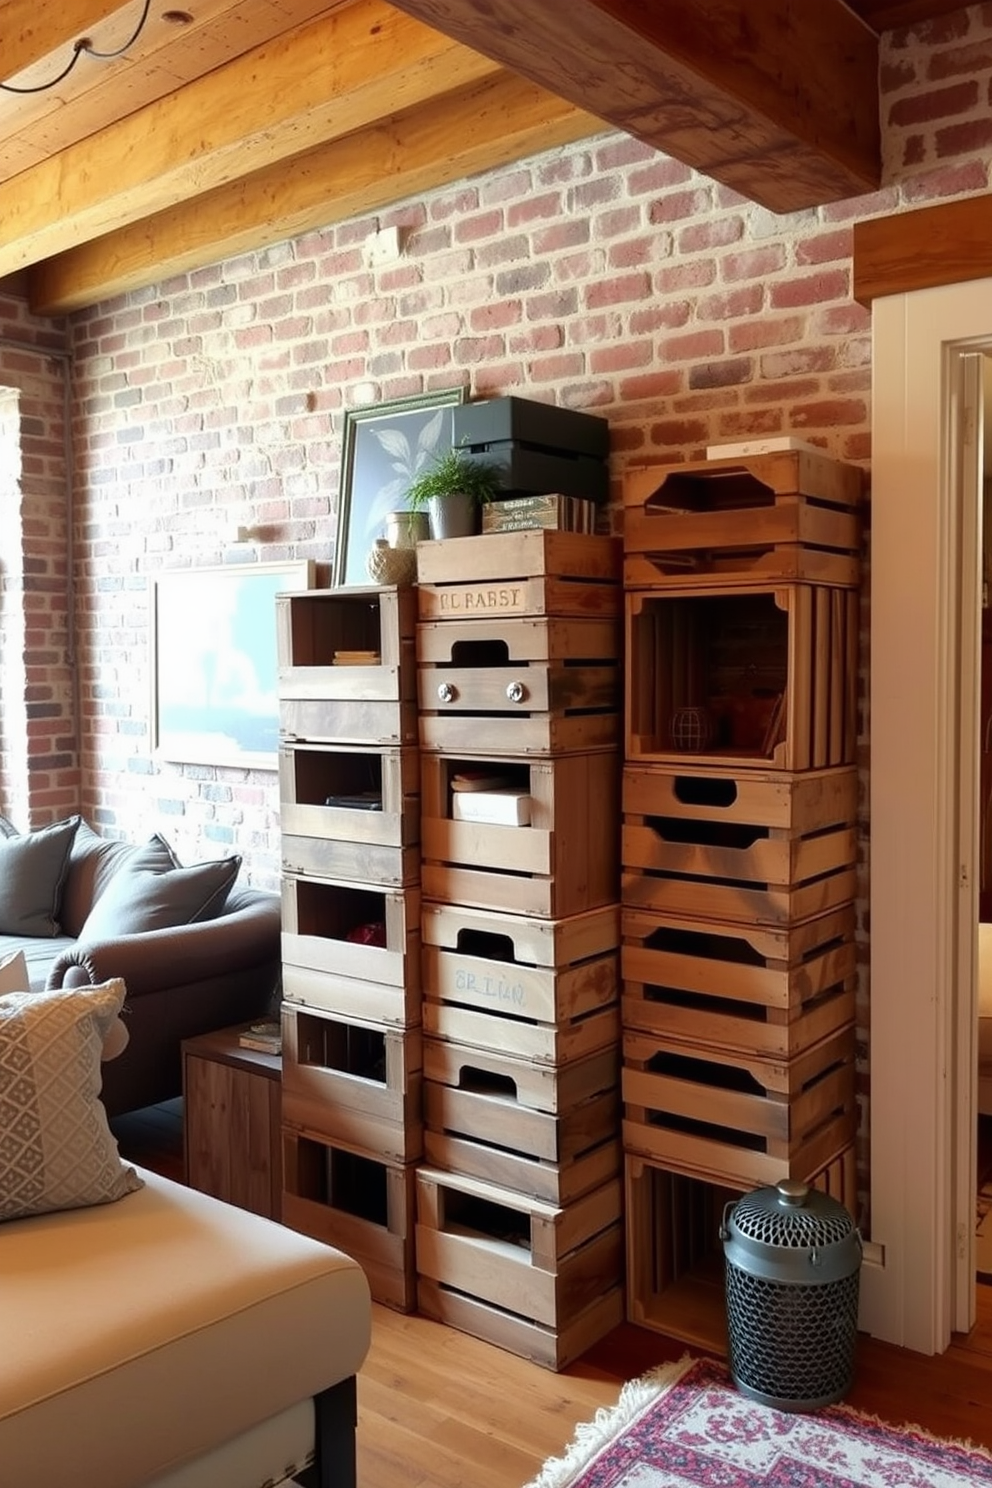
{"x": 923, "y": 871}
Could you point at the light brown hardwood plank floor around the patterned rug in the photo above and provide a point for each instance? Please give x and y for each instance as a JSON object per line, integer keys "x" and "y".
{"x": 442, "y": 1410}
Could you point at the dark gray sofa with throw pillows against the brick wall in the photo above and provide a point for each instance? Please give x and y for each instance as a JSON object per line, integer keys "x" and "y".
{"x": 196, "y": 952}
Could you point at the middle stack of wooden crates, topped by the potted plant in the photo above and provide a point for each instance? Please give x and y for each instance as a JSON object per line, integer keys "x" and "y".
{"x": 520, "y": 1202}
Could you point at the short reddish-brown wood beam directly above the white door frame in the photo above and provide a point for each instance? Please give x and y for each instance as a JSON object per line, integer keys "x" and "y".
{"x": 942, "y": 245}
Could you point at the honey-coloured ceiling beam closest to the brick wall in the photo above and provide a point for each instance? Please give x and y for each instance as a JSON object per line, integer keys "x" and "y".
{"x": 481, "y": 127}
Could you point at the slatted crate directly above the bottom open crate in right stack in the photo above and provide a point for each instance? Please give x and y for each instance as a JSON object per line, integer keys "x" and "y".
{"x": 737, "y": 1120}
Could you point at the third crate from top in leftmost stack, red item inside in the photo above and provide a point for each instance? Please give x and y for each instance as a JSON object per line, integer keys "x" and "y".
{"x": 329, "y": 958}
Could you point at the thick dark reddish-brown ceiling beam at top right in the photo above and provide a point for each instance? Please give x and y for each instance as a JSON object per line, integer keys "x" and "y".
{"x": 777, "y": 100}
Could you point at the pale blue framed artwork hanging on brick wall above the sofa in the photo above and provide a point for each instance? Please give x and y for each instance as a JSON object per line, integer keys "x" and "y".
{"x": 215, "y": 666}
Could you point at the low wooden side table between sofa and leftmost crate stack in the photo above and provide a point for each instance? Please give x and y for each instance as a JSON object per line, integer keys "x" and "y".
{"x": 231, "y": 1121}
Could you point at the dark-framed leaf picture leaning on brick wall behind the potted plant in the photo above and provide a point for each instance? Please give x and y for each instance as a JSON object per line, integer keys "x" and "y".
{"x": 386, "y": 446}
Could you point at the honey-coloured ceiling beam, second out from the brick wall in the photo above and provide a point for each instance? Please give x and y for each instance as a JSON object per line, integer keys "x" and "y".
{"x": 323, "y": 80}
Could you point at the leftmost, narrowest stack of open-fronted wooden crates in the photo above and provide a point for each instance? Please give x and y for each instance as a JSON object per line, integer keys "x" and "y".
{"x": 352, "y": 1010}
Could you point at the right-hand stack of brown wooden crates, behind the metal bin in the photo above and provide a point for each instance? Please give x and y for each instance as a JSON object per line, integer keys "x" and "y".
{"x": 740, "y": 852}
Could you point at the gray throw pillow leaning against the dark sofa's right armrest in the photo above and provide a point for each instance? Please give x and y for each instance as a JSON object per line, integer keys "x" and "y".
{"x": 141, "y": 899}
